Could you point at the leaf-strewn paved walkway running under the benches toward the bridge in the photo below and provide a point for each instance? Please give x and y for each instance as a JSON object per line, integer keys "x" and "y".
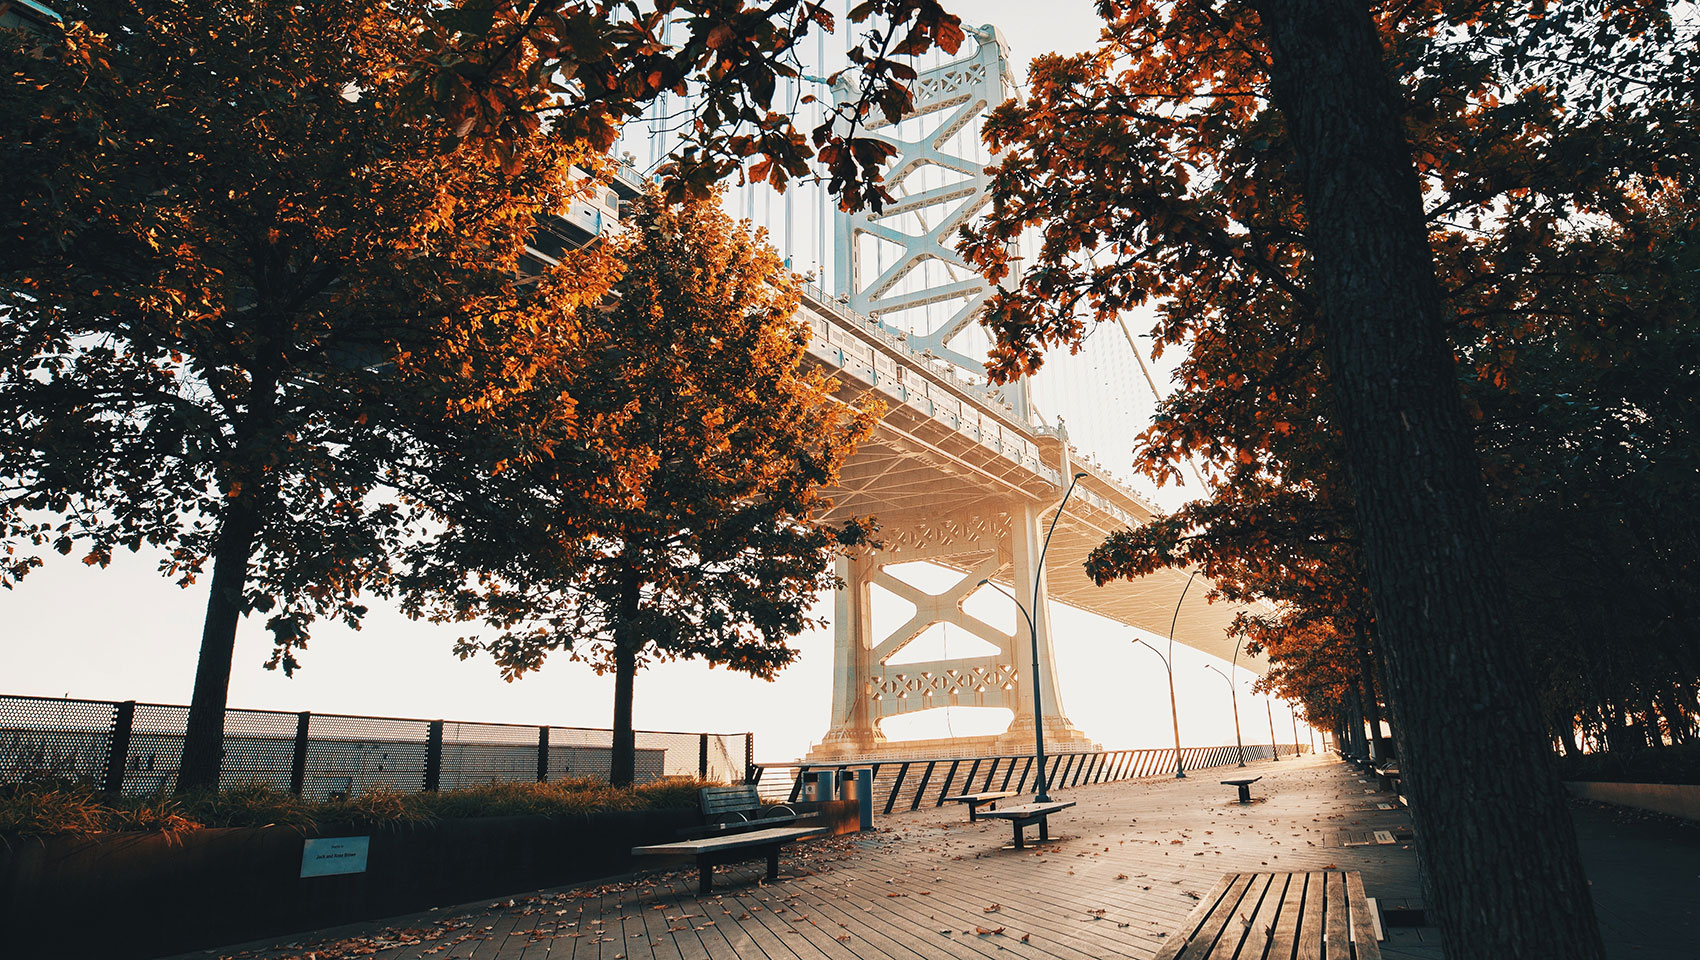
{"x": 1125, "y": 869}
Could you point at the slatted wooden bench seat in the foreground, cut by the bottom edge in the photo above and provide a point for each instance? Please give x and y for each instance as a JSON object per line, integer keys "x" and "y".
{"x": 1305, "y": 917}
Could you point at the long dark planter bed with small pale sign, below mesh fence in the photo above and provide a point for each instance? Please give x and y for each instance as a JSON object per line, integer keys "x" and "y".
{"x": 147, "y": 895}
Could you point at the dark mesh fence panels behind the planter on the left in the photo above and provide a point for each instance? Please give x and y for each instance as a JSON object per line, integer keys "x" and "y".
{"x": 135, "y": 748}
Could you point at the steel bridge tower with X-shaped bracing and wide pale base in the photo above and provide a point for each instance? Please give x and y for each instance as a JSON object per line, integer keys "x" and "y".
{"x": 900, "y": 271}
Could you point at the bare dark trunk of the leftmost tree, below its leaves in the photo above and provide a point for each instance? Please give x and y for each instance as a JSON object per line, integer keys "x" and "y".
{"x": 205, "y": 737}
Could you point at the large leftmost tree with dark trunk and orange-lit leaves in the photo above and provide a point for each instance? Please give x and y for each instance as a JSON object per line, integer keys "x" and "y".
{"x": 254, "y": 312}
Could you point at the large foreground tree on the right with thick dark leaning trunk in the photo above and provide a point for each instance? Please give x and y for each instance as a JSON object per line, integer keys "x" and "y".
{"x": 1386, "y": 239}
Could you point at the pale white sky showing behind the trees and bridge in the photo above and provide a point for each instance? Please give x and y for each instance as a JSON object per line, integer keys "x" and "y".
{"x": 128, "y": 635}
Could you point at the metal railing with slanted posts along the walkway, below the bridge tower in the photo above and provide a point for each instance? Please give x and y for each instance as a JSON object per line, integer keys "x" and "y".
{"x": 909, "y": 784}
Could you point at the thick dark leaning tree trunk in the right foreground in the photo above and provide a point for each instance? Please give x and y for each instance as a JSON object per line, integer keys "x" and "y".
{"x": 1504, "y": 872}
